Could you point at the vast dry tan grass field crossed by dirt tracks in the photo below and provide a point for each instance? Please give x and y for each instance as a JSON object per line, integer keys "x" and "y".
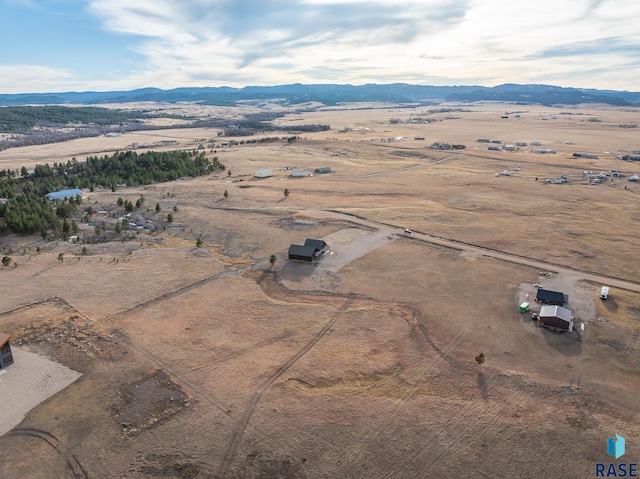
{"x": 209, "y": 362}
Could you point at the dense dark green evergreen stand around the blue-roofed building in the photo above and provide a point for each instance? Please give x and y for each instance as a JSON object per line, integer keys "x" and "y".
{"x": 27, "y": 211}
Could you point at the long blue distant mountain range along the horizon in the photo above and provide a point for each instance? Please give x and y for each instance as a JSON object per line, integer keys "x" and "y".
{"x": 336, "y": 94}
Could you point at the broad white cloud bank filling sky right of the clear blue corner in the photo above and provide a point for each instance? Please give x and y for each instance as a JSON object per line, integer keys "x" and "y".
{"x": 251, "y": 42}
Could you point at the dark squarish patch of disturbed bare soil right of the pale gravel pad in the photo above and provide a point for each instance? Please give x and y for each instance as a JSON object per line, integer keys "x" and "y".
{"x": 147, "y": 402}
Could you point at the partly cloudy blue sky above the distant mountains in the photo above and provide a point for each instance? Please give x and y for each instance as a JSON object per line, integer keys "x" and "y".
{"x": 103, "y": 45}
